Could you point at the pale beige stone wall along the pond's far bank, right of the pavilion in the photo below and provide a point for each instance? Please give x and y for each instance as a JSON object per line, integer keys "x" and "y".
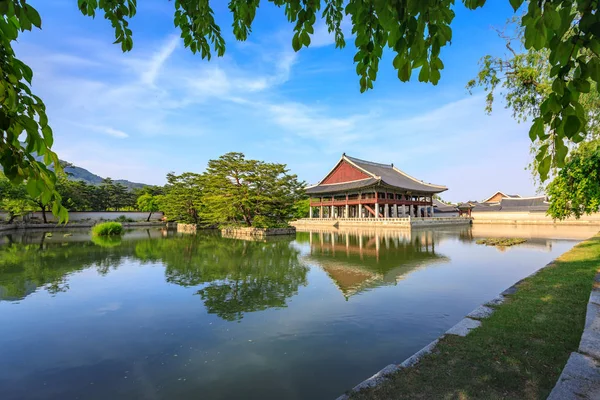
{"x": 530, "y": 218}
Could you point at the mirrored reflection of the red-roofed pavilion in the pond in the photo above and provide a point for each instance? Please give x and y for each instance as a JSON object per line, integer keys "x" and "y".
{"x": 362, "y": 259}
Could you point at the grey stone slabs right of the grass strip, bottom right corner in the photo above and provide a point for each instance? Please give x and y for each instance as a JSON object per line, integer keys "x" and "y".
{"x": 580, "y": 379}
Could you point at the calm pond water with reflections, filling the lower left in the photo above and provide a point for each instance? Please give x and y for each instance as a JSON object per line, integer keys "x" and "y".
{"x": 157, "y": 315}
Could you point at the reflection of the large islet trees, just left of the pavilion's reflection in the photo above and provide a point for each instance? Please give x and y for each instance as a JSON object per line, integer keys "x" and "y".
{"x": 238, "y": 276}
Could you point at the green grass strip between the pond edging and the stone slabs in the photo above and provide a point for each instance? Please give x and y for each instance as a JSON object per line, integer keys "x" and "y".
{"x": 518, "y": 352}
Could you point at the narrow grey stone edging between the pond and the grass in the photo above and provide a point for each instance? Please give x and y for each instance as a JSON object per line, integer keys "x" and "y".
{"x": 462, "y": 328}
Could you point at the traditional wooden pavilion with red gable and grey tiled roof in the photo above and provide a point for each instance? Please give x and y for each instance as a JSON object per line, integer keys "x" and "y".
{"x": 363, "y": 189}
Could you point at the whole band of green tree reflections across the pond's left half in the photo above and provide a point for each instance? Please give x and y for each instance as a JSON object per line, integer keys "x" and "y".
{"x": 233, "y": 276}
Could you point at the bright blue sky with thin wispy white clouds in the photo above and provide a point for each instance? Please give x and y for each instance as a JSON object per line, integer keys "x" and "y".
{"x": 159, "y": 108}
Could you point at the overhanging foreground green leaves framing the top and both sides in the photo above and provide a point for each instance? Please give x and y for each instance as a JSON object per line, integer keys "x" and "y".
{"x": 415, "y": 31}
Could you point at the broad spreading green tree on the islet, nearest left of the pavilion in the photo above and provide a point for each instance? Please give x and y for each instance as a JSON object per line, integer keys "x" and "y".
{"x": 249, "y": 192}
